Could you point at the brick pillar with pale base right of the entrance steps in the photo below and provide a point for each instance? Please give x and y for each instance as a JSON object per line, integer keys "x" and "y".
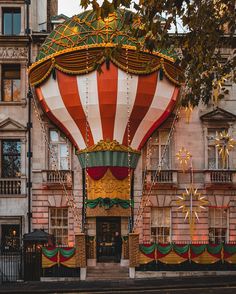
{"x": 133, "y": 253}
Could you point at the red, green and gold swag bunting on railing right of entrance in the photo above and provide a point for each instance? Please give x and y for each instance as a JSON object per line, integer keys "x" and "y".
{"x": 178, "y": 253}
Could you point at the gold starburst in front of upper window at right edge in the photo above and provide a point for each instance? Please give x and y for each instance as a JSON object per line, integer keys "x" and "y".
{"x": 224, "y": 143}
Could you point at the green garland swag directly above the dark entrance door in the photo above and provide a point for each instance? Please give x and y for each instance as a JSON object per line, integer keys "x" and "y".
{"x": 108, "y": 203}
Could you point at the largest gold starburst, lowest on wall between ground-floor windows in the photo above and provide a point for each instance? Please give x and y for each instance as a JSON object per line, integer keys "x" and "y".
{"x": 192, "y": 203}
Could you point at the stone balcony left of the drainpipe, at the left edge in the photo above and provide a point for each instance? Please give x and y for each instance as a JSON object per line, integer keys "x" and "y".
{"x": 12, "y": 186}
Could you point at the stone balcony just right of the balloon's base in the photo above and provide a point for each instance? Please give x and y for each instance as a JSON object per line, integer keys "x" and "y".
{"x": 163, "y": 178}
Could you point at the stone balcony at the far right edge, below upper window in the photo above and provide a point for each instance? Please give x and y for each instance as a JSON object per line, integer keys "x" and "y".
{"x": 220, "y": 178}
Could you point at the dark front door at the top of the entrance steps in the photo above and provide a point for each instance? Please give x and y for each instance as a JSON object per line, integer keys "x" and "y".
{"x": 106, "y": 229}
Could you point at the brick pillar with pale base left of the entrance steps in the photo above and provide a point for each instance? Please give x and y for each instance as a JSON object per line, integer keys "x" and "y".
{"x": 80, "y": 247}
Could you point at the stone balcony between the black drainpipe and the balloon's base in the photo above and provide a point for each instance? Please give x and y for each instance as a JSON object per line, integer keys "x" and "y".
{"x": 57, "y": 178}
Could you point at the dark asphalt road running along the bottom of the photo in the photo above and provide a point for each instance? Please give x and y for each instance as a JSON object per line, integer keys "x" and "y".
{"x": 193, "y": 285}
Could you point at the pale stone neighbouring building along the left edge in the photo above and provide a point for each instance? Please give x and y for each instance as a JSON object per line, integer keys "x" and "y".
{"x": 14, "y": 60}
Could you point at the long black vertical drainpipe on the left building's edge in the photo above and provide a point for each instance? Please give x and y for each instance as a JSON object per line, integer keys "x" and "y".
{"x": 29, "y": 124}
